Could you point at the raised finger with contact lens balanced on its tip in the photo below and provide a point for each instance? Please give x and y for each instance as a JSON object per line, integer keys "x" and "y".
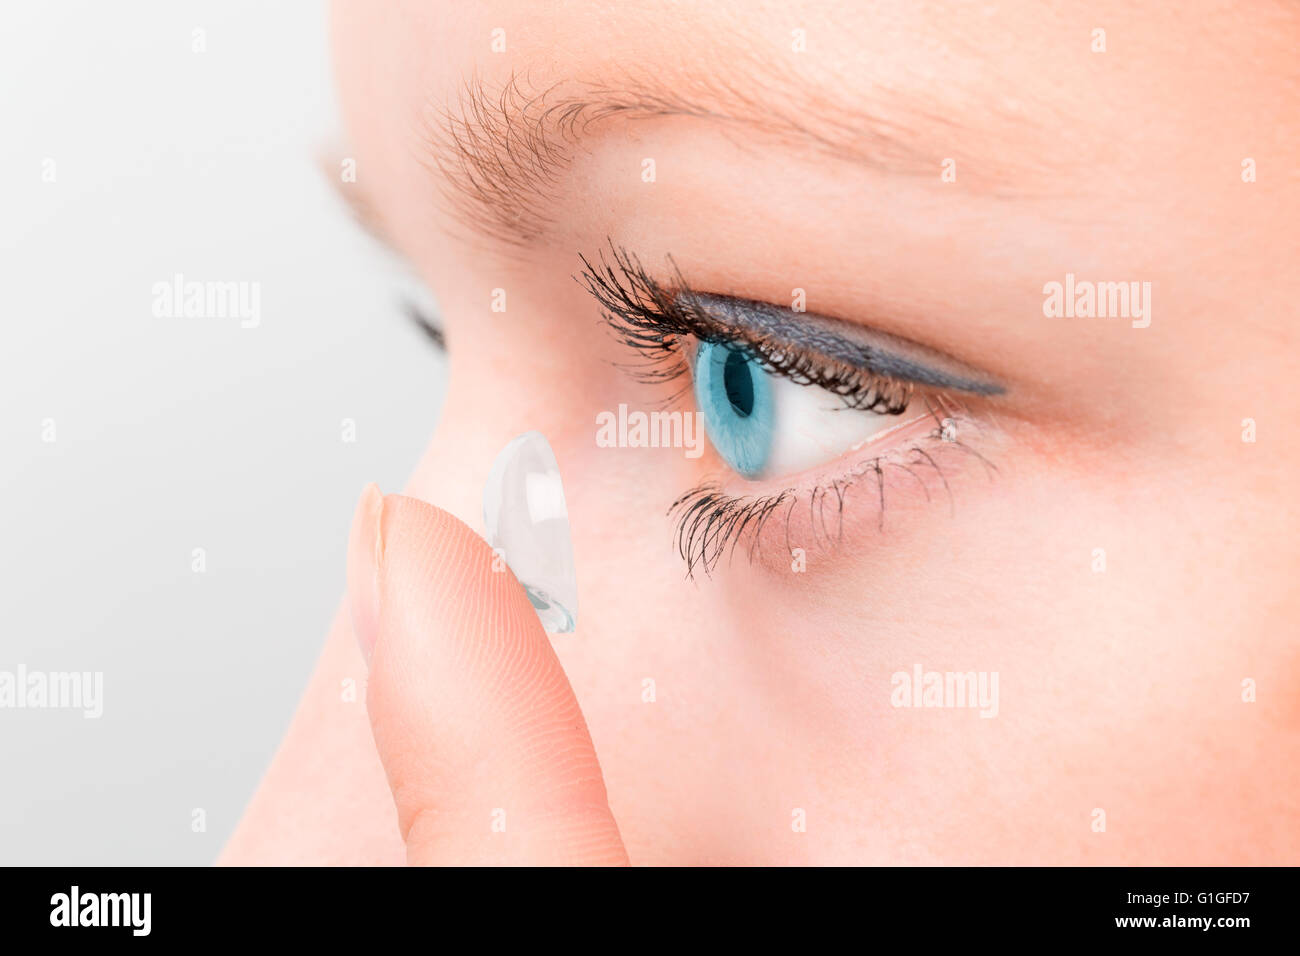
{"x": 470, "y": 707}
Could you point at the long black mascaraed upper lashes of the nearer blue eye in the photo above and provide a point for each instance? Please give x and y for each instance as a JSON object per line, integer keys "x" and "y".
{"x": 653, "y": 319}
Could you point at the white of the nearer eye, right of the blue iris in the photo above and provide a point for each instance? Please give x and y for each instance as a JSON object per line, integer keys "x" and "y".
{"x": 812, "y": 427}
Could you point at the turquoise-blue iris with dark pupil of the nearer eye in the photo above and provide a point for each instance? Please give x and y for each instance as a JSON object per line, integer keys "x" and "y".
{"x": 735, "y": 396}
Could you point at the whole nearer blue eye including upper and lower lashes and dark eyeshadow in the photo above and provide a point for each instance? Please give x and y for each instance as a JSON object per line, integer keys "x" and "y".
{"x": 734, "y": 349}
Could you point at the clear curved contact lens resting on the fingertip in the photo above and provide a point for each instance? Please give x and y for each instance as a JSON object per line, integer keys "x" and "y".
{"x": 527, "y": 524}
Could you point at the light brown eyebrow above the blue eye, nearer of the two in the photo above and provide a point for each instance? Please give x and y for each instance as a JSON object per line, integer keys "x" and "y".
{"x": 501, "y": 155}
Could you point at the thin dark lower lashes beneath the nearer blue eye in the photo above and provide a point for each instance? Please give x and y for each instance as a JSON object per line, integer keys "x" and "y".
{"x": 712, "y": 524}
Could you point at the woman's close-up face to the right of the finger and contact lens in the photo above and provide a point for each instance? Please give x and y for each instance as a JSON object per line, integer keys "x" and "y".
{"x": 1086, "y": 508}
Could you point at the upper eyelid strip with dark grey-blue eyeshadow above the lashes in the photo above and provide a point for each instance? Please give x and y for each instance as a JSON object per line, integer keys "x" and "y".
{"x": 857, "y": 347}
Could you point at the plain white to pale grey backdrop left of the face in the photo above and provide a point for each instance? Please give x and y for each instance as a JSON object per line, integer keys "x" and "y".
{"x": 177, "y": 434}
